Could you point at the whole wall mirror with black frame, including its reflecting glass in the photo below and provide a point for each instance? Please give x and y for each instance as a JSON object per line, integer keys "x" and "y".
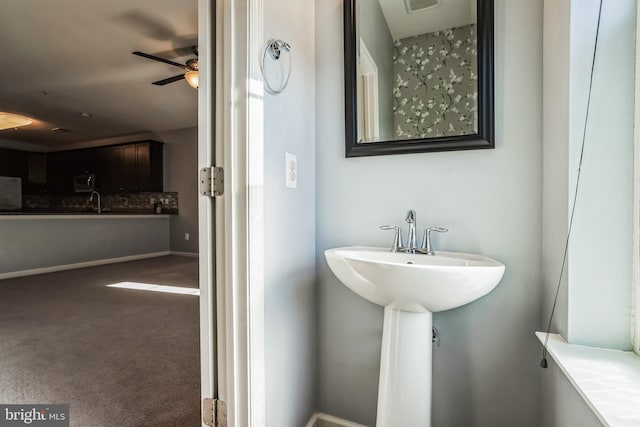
{"x": 418, "y": 76}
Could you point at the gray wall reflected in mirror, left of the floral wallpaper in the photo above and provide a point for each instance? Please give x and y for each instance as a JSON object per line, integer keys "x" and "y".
{"x": 374, "y": 31}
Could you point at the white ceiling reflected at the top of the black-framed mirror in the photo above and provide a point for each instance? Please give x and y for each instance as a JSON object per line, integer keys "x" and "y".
{"x": 448, "y": 14}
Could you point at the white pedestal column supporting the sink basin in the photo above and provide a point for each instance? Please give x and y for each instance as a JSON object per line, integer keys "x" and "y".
{"x": 404, "y": 391}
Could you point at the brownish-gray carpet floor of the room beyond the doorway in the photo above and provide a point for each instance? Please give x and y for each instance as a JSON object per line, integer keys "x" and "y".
{"x": 118, "y": 357}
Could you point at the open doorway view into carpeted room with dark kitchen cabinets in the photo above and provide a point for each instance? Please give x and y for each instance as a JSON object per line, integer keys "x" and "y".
{"x": 81, "y": 316}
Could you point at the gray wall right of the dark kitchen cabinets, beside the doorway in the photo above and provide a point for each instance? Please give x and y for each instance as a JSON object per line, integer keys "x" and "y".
{"x": 181, "y": 175}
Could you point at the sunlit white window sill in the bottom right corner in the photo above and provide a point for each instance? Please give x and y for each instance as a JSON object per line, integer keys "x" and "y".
{"x": 608, "y": 380}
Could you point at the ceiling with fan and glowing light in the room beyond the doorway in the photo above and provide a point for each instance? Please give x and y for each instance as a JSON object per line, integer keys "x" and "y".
{"x": 62, "y": 58}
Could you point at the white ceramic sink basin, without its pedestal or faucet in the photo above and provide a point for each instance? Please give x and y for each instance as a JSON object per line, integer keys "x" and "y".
{"x": 414, "y": 282}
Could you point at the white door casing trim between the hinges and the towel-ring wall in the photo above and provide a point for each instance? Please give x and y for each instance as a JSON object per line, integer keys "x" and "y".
{"x": 238, "y": 135}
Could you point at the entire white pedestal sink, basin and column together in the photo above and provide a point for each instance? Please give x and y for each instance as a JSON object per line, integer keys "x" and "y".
{"x": 411, "y": 287}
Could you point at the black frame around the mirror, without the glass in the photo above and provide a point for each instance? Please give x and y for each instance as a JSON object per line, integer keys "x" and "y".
{"x": 486, "y": 132}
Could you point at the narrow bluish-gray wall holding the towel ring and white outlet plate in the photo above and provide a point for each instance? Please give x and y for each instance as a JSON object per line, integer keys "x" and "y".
{"x": 289, "y": 223}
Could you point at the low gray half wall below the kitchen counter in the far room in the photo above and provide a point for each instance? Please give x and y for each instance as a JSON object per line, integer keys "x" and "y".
{"x": 37, "y": 243}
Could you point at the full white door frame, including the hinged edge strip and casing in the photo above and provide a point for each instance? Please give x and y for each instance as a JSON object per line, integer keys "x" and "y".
{"x": 231, "y": 254}
